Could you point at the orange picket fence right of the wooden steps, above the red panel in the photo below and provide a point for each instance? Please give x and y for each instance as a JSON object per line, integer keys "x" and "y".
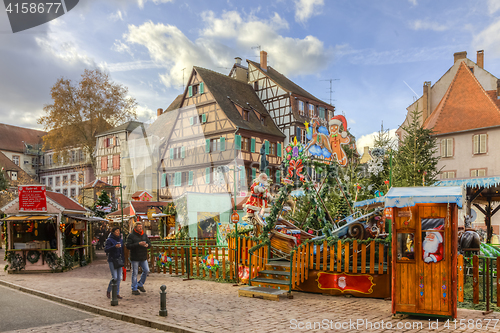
{"x": 349, "y": 257}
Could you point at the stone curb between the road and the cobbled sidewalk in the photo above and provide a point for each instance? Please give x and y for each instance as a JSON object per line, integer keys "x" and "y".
{"x": 102, "y": 311}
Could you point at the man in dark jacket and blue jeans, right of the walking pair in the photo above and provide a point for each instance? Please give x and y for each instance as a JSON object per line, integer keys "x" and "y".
{"x": 138, "y": 243}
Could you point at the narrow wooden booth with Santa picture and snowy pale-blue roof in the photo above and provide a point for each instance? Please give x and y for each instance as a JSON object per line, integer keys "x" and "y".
{"x": 424, "y": 249}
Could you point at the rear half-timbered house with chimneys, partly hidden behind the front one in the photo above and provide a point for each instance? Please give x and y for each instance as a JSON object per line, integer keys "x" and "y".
{"x": 289, "y": 105}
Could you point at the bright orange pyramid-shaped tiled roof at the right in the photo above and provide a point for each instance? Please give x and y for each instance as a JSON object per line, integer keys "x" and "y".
{"x": 465, "y": 106}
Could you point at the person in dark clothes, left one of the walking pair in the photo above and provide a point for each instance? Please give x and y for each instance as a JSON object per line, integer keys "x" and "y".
{"x": 114, "y": 250}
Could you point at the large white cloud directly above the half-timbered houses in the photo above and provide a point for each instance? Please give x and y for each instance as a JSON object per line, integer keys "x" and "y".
{"x": 169, "y": 47}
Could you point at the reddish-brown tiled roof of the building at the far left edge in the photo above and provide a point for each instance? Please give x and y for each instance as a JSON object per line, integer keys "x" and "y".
{"x": 12, "y": 137}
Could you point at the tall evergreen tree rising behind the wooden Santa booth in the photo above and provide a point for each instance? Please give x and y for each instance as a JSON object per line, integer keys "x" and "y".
{"x": 416, "y": 161}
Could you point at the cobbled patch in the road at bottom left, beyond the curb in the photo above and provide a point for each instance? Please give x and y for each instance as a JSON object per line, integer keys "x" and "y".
{"x": 98, "y": 325}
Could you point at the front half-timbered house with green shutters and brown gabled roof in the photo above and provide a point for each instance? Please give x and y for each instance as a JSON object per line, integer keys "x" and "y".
{"x": 215, "y": 143}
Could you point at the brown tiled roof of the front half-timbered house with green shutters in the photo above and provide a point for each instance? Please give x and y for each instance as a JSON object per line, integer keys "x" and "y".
{"x": 228, "y": 91}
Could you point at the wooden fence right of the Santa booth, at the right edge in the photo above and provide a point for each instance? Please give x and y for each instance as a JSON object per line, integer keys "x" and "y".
{"x": 479, "y": 273}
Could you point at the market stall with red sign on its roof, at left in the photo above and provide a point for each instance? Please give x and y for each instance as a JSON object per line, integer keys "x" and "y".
{"x": 36, "y": 222}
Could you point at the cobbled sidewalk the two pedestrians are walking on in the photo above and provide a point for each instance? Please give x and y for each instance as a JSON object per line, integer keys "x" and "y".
{"x": 215, "y": 307}
